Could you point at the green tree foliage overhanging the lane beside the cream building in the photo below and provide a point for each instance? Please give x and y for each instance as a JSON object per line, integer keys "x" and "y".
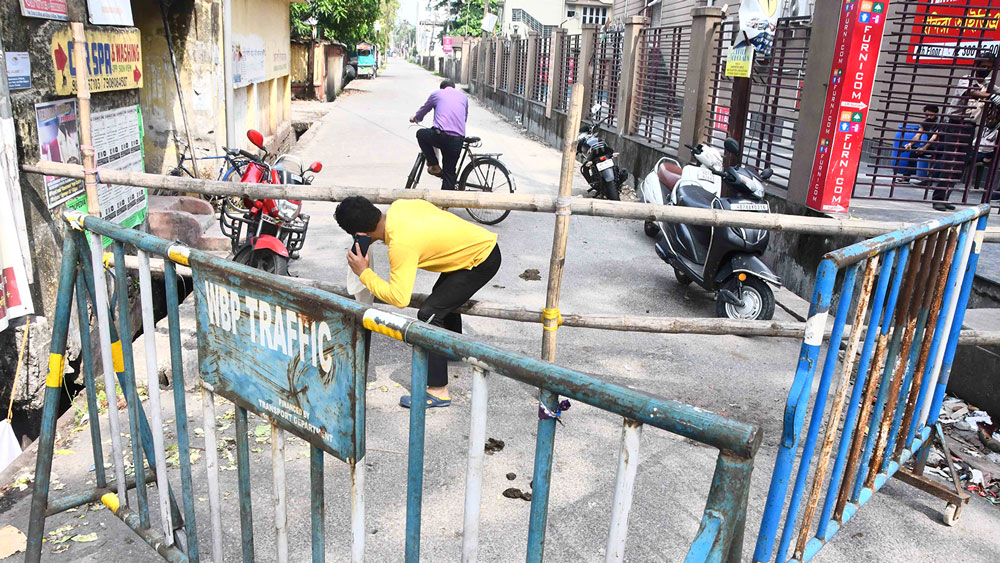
{"x": 347, "y": 21}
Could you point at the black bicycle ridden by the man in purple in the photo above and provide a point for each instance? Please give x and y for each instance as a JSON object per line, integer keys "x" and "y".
{"x": 480, "y": 173}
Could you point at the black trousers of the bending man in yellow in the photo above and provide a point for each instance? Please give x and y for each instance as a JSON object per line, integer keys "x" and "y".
{"x": 450, "y": 292}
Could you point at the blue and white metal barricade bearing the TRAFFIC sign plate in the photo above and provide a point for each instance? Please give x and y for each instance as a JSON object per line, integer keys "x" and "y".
{"x": 308, "y": 379}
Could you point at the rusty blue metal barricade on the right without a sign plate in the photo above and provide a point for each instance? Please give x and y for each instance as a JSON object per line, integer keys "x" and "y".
{"x": 900, "y": 302}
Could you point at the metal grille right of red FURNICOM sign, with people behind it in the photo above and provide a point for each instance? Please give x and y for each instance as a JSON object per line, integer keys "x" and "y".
{"x": 907, "y": 152}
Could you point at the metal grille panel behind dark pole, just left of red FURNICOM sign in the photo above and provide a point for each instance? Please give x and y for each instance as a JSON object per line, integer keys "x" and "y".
{"x": 775, "y": 93}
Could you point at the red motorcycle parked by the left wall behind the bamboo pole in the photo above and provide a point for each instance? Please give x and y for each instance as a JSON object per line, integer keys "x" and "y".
{"x": 266, "y": 233}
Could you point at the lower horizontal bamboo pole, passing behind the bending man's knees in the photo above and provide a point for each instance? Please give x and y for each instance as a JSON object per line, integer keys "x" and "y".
{"x": 623, "y": 323}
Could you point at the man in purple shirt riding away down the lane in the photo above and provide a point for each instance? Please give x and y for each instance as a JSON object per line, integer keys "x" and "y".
{"x": 451, "y": 111}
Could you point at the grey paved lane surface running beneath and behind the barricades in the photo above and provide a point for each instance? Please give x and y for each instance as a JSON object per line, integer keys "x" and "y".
{"x": 365, "y": 140}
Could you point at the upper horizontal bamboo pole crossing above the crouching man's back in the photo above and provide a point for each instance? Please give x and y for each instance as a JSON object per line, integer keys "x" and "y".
{"x": 322, "y": 191}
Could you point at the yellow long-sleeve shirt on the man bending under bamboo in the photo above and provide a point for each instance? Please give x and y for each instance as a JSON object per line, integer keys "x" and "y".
{"x": 419, "y": 235}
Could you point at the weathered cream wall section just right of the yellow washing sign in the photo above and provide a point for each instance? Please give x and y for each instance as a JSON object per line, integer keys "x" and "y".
{"x": 196, "y": 31}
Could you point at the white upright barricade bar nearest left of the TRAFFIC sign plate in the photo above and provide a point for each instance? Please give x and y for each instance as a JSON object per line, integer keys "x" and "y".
{"x": 153, "y": 387}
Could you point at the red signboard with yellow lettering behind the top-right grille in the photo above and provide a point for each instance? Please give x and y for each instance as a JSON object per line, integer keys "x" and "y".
{"x": 954, "y": 31}
